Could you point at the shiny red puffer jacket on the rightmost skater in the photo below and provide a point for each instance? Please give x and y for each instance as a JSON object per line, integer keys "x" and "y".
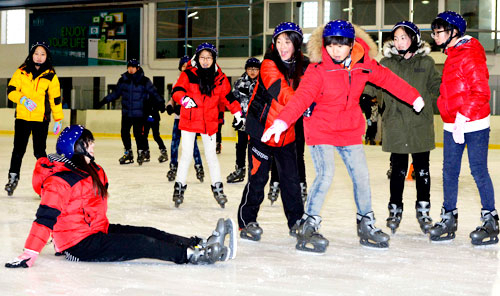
{"x": 464, "y": 86}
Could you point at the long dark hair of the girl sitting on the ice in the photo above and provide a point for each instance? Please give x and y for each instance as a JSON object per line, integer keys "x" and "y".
{"x": 91, "y": 168}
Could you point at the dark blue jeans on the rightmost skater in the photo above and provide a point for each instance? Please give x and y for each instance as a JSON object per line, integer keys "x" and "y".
{"x": 477, "y": 150}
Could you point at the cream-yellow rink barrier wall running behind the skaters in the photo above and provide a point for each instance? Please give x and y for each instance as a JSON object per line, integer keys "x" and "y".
{"x": 107, "y": 123}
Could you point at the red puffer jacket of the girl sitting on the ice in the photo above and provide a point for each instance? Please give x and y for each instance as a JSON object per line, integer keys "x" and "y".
{"x": 69, "y": 208}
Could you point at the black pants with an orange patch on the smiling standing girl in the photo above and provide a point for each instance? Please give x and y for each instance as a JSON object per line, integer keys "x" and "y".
{"x": 260, "y": 159}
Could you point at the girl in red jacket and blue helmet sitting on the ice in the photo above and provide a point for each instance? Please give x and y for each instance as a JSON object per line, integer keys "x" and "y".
{"x": 73, "y": 209}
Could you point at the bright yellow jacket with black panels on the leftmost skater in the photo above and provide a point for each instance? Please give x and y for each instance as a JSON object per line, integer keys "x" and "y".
{"x": 44, "y": 90}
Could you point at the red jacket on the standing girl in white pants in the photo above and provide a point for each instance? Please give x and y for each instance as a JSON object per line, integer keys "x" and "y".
{"x": 204, "y": 118}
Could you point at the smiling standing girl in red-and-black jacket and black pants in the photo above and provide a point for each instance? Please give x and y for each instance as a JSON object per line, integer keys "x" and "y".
{"x": 280, "y": 75}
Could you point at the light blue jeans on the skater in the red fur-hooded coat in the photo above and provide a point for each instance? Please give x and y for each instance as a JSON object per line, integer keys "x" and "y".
{"x": 355, "y": 160}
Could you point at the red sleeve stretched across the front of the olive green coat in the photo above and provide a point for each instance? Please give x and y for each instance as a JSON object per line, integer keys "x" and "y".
{"x": 385, "y": 78}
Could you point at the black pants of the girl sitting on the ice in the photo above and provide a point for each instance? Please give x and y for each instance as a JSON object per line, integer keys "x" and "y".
{"x": 123, "y": 242}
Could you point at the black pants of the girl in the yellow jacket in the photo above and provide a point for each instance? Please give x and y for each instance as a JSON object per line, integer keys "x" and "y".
{"x": 22, "y": 131}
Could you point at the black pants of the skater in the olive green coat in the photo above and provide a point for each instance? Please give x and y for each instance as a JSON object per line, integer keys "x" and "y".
{"x": 422, "y": 177}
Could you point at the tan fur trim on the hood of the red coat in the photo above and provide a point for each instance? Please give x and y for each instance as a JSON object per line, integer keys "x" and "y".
{"x": 315, "y": 43}
